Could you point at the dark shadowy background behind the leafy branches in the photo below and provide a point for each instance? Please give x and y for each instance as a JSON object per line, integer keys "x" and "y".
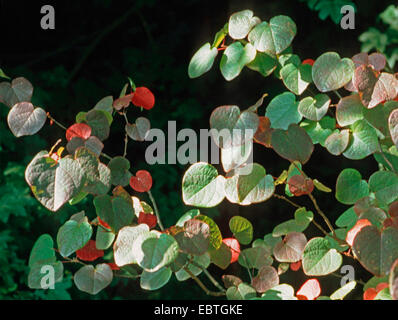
{"x": 94, "y": 48}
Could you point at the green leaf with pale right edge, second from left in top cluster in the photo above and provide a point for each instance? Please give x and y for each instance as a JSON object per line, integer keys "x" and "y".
{"x": 235, "y": 57}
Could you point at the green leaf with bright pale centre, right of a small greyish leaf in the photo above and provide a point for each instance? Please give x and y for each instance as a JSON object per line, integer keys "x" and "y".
{"x": 363, "y": 143}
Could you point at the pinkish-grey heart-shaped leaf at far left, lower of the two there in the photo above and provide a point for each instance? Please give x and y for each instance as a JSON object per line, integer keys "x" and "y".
{"x": 26, "y": 120}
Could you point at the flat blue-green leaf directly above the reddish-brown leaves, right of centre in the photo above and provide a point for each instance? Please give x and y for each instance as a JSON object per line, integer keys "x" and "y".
{"x": 282, "y": 111}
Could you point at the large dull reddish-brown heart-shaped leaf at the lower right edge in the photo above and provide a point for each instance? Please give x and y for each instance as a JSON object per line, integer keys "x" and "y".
{"x": 376, "y": 250}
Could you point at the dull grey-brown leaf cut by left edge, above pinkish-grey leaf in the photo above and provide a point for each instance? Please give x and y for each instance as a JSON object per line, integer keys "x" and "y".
{"x": 20, "y": 90}
